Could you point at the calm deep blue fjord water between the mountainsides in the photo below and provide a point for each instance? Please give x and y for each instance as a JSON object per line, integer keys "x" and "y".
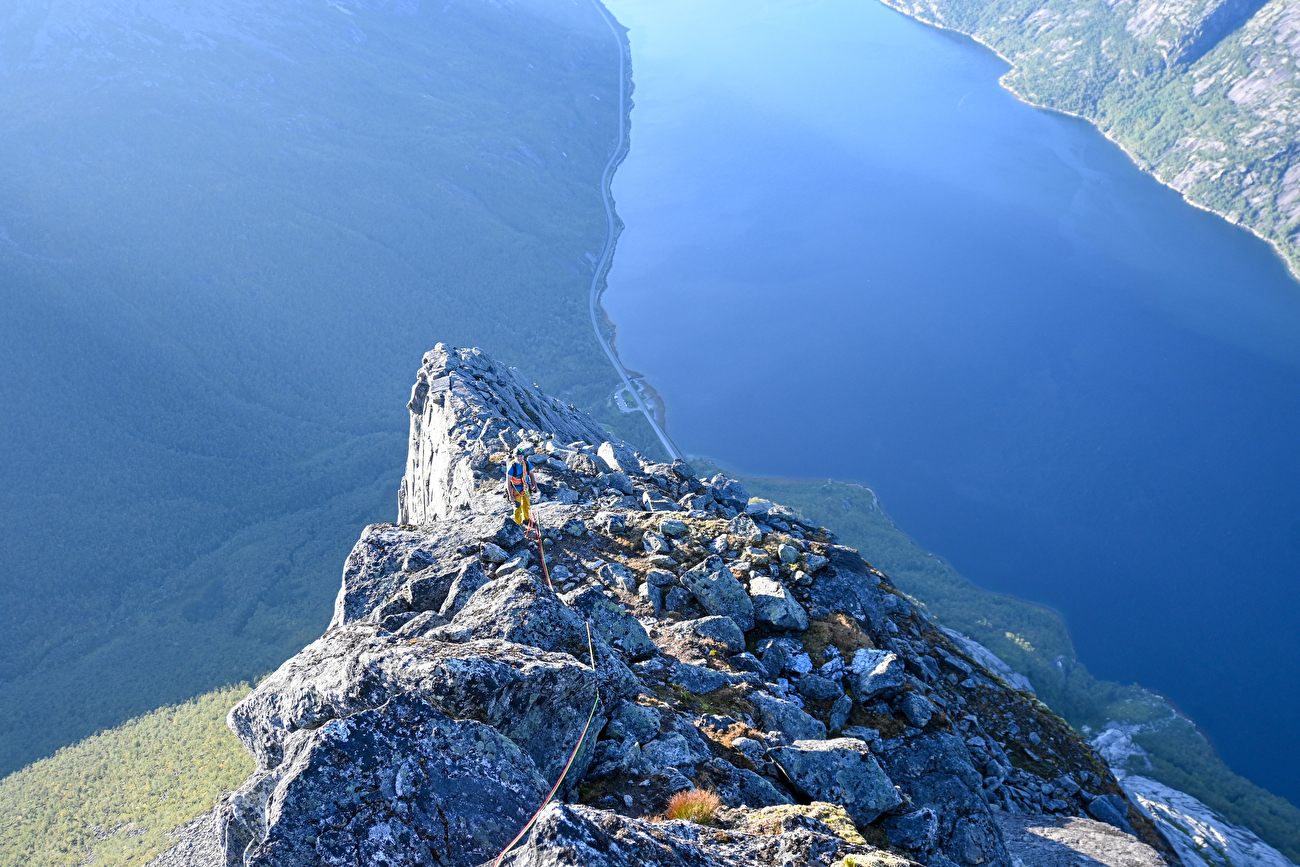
{"x": 851, "y": 254}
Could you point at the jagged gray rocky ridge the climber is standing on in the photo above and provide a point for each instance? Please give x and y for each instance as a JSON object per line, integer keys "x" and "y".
{"x": 662, "y": 635}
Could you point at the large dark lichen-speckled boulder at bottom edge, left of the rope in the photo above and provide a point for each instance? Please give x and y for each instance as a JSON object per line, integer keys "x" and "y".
{"x": 401, "y": 784}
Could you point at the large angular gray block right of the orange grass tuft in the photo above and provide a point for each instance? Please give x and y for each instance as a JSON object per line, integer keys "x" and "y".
{"x": 840, "y": 771}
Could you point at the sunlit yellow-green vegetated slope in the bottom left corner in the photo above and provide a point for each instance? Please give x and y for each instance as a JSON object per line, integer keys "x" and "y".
{"x": 112, "y": 799}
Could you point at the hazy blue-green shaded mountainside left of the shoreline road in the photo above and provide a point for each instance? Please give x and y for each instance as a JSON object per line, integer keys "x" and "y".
{"x": 226, "y": 229}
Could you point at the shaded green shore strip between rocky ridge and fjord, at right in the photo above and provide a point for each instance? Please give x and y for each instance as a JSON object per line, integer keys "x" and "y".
{"x": 1035, "y": 641}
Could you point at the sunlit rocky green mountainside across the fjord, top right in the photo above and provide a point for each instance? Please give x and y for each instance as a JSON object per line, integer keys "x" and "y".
{"x": 1203, "y": 93}
